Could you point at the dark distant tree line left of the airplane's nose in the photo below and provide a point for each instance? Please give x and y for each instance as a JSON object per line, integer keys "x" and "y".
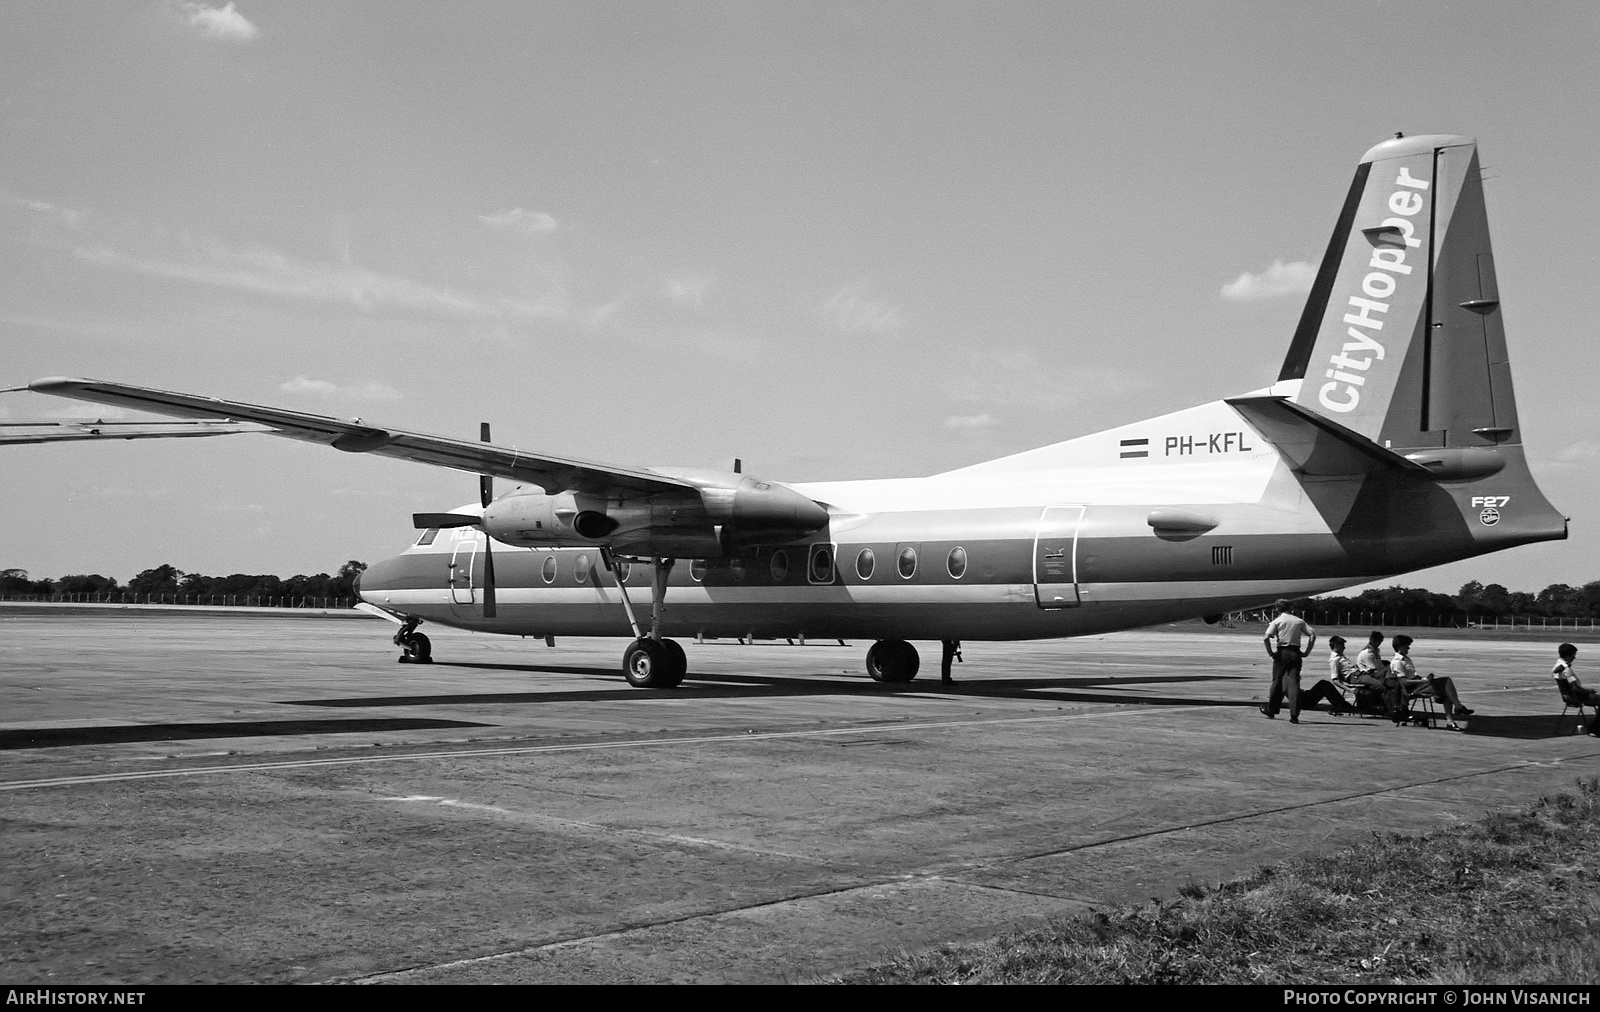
{"x": 170, "y": 585}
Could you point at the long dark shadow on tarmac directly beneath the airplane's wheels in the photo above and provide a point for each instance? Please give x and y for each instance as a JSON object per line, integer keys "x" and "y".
{"x": 750, "y": 686}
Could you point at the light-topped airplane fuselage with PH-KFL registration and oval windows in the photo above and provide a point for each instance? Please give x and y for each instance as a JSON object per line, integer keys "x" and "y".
{"x": 1188, "y": 515}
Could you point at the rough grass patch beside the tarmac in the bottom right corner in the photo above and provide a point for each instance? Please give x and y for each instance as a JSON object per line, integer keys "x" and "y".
{"x": 1514, "y": 899}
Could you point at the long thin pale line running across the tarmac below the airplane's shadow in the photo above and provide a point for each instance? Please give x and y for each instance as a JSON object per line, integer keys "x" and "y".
{"x": 535, "y": 750}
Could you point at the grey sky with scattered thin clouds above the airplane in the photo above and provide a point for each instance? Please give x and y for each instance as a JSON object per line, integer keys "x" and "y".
{"x": 831, "y": 239}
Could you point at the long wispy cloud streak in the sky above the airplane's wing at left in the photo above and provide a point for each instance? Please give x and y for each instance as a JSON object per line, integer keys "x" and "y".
{"x": 271, "y": 273}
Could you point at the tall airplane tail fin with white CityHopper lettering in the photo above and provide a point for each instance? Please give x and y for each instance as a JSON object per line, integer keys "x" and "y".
{"x": 1402, "y": 339}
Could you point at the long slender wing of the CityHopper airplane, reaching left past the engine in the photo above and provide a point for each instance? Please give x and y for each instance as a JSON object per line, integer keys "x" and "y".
{"x": 356, "y": 436}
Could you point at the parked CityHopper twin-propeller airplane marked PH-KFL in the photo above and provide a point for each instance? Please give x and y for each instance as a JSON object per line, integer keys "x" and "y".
{"x": 1390, "y": 443}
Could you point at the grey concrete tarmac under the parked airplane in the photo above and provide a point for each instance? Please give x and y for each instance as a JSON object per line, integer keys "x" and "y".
{"x": 271, "y": 798}
